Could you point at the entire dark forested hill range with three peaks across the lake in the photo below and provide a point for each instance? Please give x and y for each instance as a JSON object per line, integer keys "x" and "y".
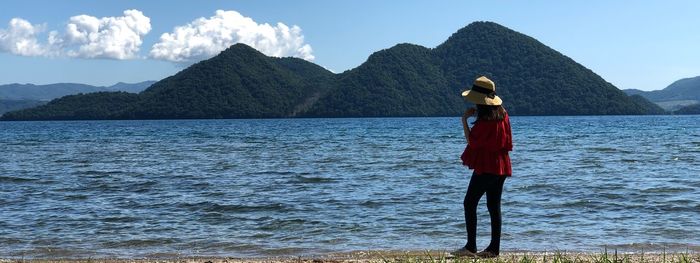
{"x": 405, "y": 80}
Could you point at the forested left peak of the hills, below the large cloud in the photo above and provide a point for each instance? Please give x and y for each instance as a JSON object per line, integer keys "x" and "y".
{"x": 238, "y": 83}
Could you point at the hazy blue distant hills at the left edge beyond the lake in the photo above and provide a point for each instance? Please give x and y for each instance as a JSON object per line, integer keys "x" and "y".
{"x": 53, "y": 91}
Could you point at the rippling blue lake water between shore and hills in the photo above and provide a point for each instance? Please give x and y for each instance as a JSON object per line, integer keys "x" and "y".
{"x": 313, "y": 186}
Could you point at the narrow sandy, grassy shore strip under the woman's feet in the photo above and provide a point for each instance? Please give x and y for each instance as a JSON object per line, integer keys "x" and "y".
{"x": 408, "y": 256}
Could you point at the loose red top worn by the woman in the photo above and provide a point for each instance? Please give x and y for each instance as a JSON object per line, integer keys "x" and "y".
{"x": 488, "y": 147}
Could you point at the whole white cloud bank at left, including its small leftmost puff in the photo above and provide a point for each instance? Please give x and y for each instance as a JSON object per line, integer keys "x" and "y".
{"x": 85, "y": 36}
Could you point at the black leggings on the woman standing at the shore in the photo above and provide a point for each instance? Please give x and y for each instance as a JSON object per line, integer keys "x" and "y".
{"x": 492, "y": 185}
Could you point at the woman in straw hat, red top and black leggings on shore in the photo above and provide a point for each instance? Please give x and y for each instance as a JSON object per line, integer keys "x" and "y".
{"x": 488, "y": 144}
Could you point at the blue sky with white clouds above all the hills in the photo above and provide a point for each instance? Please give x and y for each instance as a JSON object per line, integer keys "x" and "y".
{"x": 632, "y": 44}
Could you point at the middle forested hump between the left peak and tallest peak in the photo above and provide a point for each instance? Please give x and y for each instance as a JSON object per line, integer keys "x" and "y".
{"x": 401, "y": 81}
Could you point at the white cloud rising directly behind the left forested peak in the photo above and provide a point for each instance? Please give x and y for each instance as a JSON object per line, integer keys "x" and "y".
{"x": 206, "y": 37}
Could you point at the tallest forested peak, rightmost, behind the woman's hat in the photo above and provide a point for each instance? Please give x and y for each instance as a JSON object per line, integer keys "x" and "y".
{"x": 532, "y": 78}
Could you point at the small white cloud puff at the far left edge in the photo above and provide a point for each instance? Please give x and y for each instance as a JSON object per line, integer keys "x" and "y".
{"x": 20, "y": 38}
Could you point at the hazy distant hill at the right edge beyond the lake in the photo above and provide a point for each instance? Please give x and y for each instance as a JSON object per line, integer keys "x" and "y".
{"x": 680, "y": 93}
